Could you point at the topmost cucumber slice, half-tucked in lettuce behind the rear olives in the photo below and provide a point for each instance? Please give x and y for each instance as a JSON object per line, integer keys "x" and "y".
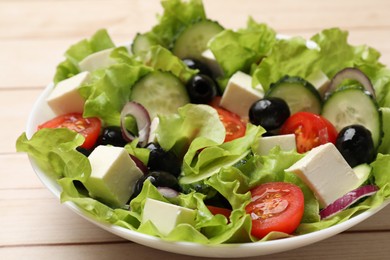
{"x": 192, "y": 42}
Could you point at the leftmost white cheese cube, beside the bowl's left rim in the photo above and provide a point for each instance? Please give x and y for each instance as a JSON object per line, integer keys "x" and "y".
{"x": 65, "y": 97}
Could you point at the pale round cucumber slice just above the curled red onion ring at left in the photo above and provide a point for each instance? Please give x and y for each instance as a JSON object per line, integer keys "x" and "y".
{"x": 160, "y": 93}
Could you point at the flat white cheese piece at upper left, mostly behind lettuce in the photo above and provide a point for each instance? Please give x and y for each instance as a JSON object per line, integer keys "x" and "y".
{"x": 97, "y": 60}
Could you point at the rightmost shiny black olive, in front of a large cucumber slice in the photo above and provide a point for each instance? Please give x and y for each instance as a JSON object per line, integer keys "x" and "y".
{"x": 355, "y": 143}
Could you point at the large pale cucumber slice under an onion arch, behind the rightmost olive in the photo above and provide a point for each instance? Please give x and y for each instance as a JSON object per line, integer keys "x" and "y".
{"x": 350, "y": 106}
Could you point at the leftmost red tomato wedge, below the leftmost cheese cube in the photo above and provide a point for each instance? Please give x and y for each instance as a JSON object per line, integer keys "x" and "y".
{"x": 88, "y": 127}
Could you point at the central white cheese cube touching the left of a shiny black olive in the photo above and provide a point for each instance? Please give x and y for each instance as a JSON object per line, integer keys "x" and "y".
{"x": 239, "y": 94}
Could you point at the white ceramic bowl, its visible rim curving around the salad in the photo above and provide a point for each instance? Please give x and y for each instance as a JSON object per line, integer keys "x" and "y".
{"x": 41, "y": 113}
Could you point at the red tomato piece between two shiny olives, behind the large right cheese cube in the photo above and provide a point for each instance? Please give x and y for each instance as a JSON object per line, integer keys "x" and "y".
{"x": 311, "y": 130}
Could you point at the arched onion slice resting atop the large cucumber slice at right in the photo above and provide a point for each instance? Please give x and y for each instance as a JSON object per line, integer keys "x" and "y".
{"x": 350, "y": 73}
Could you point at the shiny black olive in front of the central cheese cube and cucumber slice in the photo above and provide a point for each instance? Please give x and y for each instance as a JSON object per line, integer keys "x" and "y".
{"x": 270, "y": 113}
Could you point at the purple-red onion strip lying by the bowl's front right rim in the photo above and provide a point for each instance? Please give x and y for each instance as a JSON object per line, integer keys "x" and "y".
{"x": 347, "y": 200}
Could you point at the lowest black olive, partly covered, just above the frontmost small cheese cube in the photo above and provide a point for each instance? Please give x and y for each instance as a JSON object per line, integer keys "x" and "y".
{"x": 158, "y": 179}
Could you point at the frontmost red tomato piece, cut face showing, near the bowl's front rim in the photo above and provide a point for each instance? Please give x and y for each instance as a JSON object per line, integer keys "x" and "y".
{"x": 275, "y": 206}
